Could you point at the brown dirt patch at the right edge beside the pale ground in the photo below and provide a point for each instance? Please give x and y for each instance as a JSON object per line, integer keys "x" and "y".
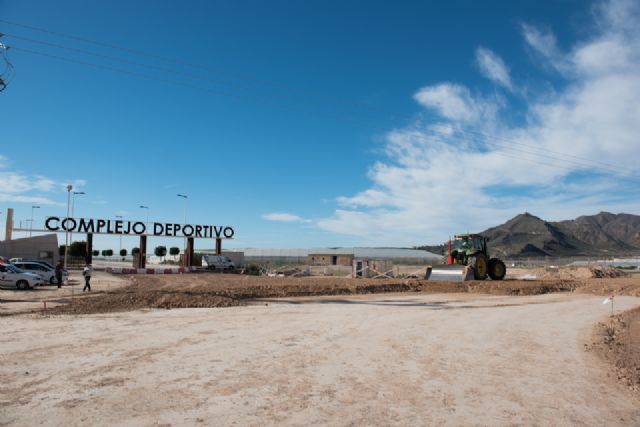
{"x": 617, "y": 341}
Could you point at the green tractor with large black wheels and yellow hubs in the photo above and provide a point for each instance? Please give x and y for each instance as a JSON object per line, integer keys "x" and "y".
{"x": 471, "y": 250}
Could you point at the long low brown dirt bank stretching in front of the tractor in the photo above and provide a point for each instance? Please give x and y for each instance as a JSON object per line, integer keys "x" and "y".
{"x": 218, "y": 290}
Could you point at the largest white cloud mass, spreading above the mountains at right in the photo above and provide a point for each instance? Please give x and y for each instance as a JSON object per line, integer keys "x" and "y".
{"x": 473, "y": 168}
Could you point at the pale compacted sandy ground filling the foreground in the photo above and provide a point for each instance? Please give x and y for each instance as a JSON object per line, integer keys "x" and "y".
{"x": 454, "y": 359}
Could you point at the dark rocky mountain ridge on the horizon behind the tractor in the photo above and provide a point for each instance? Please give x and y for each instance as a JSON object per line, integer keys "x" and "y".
{"x": 526, "y": 235}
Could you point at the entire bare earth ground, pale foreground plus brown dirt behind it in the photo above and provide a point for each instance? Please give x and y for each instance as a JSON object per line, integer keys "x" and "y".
{"x": 253, "y": 350}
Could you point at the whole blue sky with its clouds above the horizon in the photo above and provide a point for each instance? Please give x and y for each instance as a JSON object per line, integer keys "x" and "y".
{"x": 322, "y": 123}
